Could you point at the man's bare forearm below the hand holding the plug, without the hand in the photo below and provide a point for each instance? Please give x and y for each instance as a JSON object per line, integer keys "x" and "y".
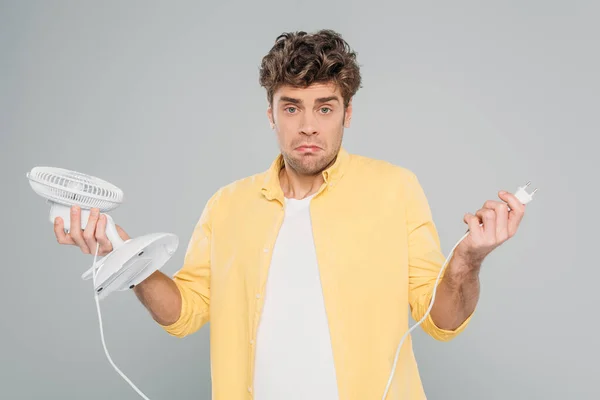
{"x": 457, "y": 294}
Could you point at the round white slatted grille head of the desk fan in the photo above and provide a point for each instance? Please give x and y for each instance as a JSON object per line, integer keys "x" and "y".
{"x": 73, "y": 188}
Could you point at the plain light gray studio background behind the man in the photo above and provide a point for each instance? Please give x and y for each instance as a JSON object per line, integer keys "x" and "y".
{"x": 163, "y": 101}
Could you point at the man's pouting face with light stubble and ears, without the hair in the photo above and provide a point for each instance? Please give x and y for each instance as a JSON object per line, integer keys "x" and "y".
{"x": 309, "y": 123}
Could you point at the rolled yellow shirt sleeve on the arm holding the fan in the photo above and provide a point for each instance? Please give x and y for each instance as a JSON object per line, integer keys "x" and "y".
{"x": 193, "y": 279}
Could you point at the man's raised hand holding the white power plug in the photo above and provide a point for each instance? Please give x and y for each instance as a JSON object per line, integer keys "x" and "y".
{"x": 491, "y": 226}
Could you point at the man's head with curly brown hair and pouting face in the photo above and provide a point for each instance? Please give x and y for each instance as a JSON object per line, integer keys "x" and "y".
{"x": 310, "y": 80}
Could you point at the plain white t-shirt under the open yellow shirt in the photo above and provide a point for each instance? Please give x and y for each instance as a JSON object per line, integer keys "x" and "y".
{"x": 294, "y": 359}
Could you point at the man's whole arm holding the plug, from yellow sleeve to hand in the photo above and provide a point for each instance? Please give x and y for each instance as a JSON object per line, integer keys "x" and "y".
{"x": 458, "y": 291}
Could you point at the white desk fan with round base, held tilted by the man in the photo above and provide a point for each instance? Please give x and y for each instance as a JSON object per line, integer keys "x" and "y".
{"x": 131, "y": 261}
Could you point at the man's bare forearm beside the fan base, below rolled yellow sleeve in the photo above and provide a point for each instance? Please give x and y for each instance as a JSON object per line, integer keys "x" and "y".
{"x": 161, "y": 297}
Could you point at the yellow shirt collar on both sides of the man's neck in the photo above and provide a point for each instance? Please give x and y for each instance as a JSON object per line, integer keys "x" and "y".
{"x": 271, "y": 187}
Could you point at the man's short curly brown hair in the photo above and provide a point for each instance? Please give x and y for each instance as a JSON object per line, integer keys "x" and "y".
{"x": 300, "y": 59}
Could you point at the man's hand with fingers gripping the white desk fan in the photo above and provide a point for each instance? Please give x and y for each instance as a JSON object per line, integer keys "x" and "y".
{"x": 94, "y": 233}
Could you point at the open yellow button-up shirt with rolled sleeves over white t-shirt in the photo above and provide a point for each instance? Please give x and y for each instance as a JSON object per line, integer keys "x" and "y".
{"x": 378, "y": 252}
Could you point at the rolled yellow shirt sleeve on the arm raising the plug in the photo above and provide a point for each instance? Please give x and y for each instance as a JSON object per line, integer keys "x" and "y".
{"x": 425, "y": 260}
